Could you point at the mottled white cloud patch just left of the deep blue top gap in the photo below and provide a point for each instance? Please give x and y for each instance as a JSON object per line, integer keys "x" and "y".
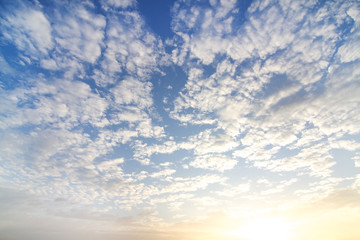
{"x": 129, "y": 48}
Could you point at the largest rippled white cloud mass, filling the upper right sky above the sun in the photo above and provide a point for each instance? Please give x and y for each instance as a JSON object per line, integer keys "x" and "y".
{"x": 251, "y": 101}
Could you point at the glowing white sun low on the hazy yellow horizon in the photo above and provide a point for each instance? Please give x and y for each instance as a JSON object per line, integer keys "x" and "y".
{"x": 269, "y": 228}
